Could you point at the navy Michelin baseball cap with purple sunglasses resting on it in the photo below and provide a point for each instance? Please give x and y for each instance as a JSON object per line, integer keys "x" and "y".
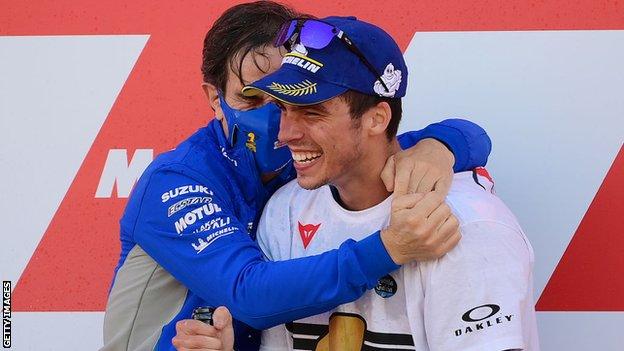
{"x": 311, "y": 76}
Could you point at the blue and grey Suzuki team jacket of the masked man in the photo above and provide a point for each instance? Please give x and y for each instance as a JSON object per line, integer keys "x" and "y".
{"x": 187, "y": 240}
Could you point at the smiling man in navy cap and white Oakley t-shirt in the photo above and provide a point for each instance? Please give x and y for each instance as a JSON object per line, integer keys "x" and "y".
{"x": 340, "y": 132}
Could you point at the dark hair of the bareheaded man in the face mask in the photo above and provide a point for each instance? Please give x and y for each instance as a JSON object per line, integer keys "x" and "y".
{"x": 240, "y": 30}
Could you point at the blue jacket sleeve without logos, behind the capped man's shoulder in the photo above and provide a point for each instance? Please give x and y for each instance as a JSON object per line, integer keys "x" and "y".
{"x": 467, "y": 141}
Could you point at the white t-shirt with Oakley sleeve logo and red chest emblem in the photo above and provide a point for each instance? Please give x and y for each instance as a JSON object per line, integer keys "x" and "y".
{"x": 479, "y": 296}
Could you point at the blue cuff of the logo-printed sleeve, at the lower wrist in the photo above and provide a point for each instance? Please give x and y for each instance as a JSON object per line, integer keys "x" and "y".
{"x": 373, "y": 258}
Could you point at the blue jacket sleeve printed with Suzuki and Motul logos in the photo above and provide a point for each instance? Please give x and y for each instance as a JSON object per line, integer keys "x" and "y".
{"x": 197, "y": 238}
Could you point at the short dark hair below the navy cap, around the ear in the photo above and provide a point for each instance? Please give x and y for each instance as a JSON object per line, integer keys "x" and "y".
{"x": 360, "y": 103}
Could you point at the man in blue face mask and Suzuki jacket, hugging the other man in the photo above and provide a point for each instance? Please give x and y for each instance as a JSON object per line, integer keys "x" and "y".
{"x": 187, "y": 234}
